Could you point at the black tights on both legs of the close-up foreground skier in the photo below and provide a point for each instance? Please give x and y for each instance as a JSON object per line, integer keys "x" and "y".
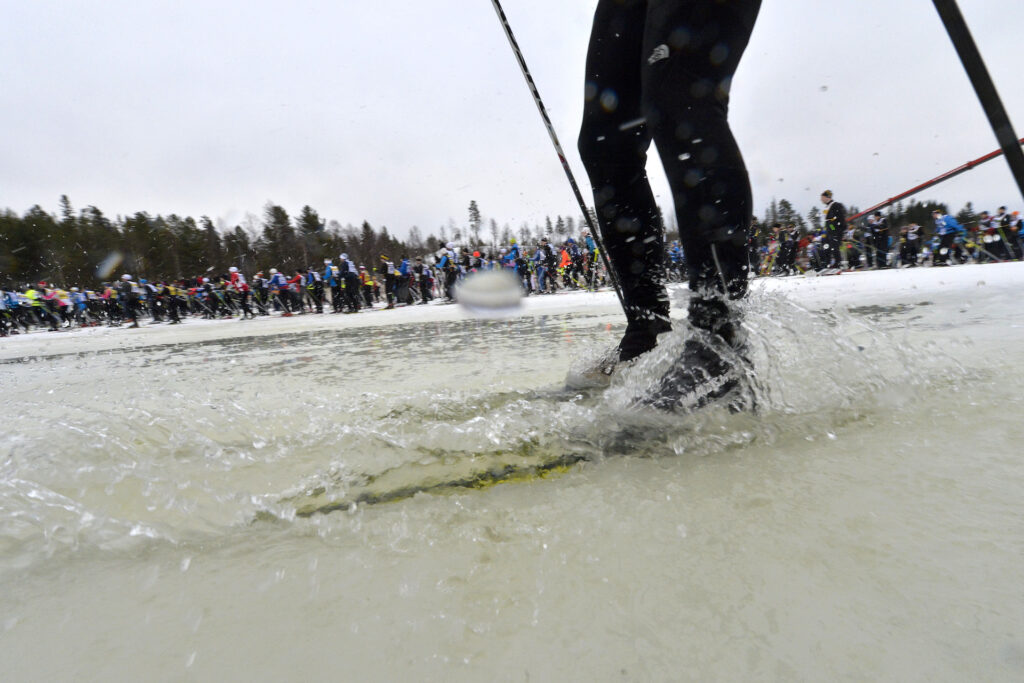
{"x": 661, "y": 70}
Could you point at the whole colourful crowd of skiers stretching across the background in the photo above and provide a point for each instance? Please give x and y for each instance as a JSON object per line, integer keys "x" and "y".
{"x": 343, "y": 286}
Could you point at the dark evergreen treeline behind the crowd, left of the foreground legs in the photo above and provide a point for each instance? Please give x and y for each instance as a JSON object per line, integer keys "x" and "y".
{"x": 87, "y": 248}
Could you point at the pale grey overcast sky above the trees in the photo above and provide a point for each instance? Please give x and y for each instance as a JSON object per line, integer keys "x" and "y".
{"x": 401, "y": 113}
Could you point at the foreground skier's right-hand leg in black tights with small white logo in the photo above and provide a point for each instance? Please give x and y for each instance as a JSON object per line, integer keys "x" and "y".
{"x": 692, "y": 51}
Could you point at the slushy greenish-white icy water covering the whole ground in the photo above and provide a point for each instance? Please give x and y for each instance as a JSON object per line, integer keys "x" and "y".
{"x": 331, "y": 504}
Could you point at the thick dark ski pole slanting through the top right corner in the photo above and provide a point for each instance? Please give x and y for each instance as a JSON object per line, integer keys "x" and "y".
{"x": 960, "y": 34}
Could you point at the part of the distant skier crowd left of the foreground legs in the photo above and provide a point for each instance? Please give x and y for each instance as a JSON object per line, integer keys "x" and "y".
{"x": 340, "y": 286}
